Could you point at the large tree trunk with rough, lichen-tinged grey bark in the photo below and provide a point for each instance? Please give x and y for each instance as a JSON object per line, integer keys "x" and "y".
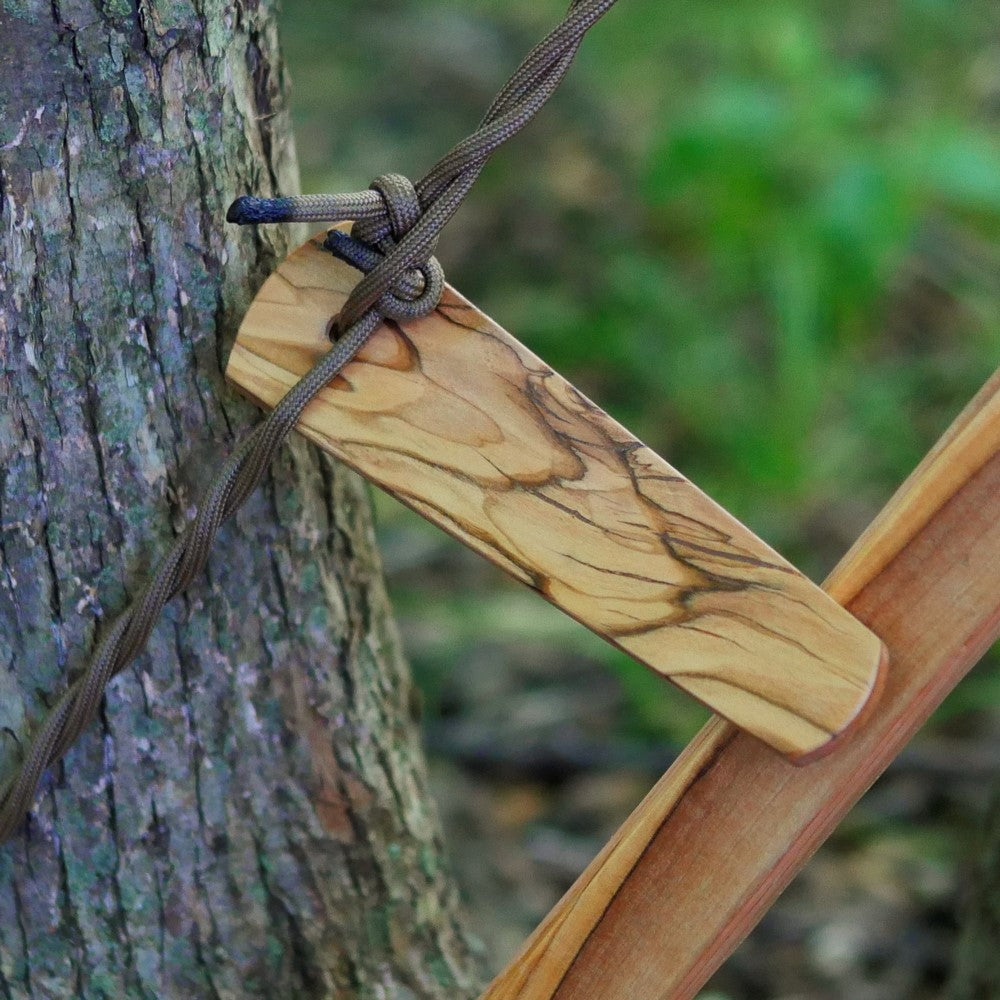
{"x": 250, "y": 817}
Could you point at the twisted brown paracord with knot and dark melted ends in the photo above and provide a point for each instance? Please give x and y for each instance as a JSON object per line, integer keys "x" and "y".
{"x": 397, "y": 225}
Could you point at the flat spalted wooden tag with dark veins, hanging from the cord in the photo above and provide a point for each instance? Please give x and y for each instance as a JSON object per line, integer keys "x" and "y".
{"x": 467, "y": 426}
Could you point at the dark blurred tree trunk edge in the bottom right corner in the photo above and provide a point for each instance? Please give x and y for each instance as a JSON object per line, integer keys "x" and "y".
{"x": 977, "y": 959}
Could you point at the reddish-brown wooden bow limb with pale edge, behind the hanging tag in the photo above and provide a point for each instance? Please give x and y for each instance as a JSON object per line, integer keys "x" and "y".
{"x": 723, "y": 832}
